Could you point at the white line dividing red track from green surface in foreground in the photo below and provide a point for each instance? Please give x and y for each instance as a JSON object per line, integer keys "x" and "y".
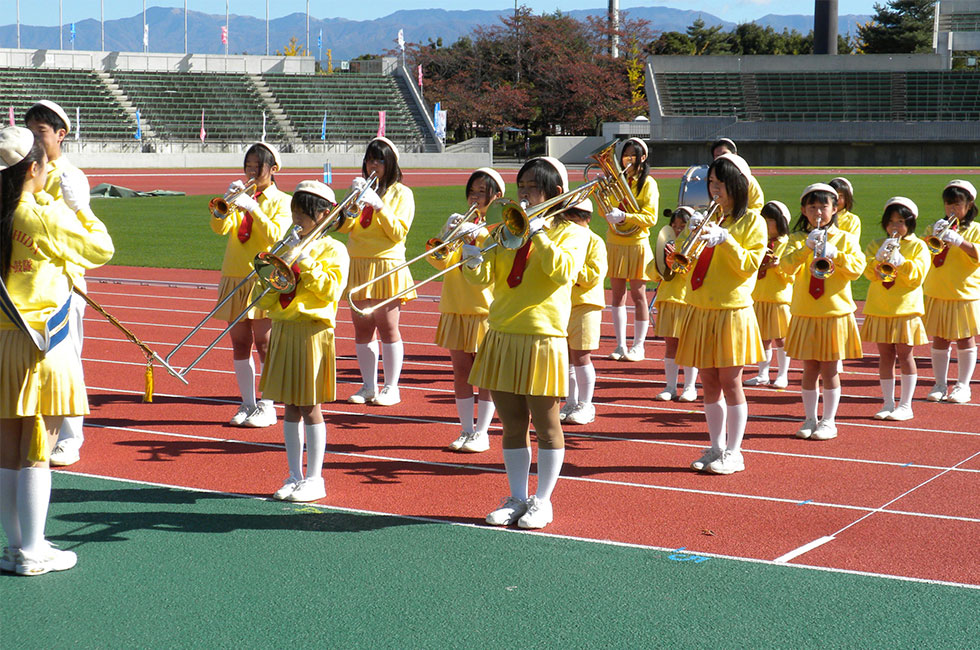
{"x": 514, "y": 531}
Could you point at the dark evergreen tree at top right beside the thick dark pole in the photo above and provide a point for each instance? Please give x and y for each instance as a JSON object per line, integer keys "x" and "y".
{"x": 901, "y": 26}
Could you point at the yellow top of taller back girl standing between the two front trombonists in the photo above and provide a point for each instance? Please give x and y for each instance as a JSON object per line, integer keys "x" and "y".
{"x": 384, "y": 237}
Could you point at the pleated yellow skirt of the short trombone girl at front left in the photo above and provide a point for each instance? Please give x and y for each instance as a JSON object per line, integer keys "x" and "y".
{"x": 300, "y": 367}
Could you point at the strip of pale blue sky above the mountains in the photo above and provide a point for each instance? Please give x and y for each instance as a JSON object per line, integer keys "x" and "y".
{"x": 45, "y": 12}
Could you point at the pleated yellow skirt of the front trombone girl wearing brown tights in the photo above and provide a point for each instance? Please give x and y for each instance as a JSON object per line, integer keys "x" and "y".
{"x": 522, "y": 364}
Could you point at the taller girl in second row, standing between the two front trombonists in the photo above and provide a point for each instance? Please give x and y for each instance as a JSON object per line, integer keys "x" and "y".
{"x": 377, "y": 245}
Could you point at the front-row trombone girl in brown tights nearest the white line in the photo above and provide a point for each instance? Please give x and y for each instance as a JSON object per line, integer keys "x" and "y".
{"x": 523, "y": 361}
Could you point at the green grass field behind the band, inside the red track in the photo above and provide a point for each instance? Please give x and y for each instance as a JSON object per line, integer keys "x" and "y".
{"x": 173, "y": 232}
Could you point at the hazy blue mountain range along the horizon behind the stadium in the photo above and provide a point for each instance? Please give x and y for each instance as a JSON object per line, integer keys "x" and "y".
{"x": 347, "y": 38}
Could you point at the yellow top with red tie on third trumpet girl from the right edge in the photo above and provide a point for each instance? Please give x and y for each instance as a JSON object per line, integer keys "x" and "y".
{"x": 836, "y": 299}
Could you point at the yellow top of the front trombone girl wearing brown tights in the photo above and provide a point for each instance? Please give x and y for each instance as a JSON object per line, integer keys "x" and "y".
{"x": 541, "y": 303}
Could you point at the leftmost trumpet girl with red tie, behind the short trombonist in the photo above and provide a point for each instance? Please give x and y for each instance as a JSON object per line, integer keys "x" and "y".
{"x": 253, "y": 224}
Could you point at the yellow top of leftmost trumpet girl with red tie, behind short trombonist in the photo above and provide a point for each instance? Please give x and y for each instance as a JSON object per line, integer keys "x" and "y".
{"x": 267, "y": 229}
